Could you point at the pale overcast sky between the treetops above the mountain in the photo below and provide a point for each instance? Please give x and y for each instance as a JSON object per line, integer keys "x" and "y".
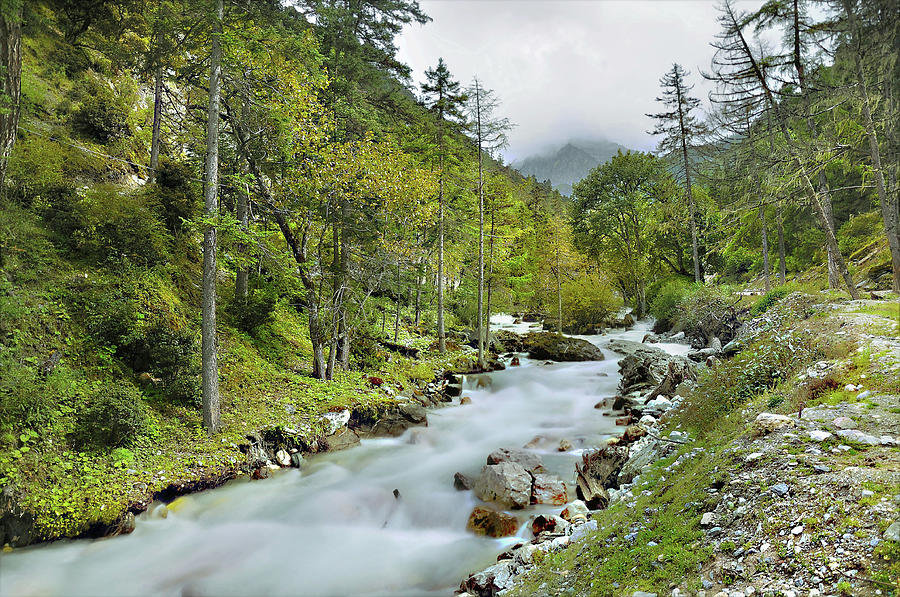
{"x": 565, "y": 69}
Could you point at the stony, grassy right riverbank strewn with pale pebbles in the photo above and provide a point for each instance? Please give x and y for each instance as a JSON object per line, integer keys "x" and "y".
{"x": 788, "y": 484}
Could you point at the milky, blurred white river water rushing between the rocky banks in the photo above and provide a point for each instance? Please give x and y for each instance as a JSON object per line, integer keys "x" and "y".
{"x": 335, "y": 528}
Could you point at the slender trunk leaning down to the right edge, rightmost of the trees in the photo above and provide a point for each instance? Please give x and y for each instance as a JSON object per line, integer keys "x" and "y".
{"x": 887, "y": 202}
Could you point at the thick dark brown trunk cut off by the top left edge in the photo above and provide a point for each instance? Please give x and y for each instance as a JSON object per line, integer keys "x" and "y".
{"x": 10, "y": 81}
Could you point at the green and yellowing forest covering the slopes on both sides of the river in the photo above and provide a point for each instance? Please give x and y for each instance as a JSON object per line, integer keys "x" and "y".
{"x": 223, "y": 217}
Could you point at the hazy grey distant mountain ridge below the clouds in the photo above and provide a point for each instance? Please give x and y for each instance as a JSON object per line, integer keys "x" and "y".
{"x": 570, "y": 163}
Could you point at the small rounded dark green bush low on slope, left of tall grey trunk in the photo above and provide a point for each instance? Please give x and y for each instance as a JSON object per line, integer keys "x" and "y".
{"x": 114, "y": 417}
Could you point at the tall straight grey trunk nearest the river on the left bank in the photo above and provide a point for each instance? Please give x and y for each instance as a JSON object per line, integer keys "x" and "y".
{"x": 210, "y": 367}
